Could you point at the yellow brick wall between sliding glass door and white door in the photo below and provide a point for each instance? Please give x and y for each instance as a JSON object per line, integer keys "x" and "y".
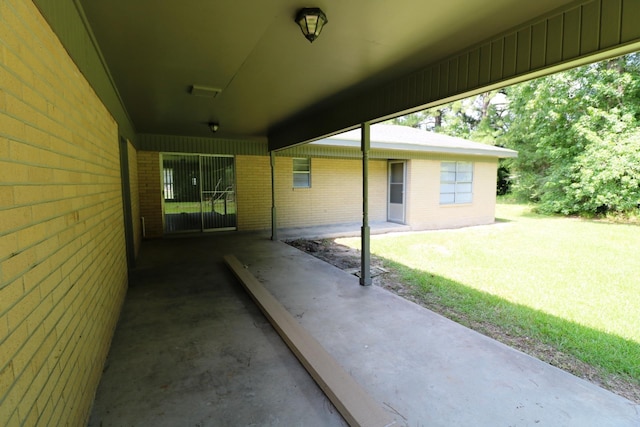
{"x": 335, "y": 195}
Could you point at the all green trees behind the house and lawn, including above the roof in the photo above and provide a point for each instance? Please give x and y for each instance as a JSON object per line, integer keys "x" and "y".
{"x": 575, "y": 133}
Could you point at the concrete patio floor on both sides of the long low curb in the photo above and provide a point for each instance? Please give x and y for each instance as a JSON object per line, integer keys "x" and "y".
{"x": 192, "y": 349}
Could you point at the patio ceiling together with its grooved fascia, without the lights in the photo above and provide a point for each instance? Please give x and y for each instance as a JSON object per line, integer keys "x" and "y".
{"x": 374, "y": 60}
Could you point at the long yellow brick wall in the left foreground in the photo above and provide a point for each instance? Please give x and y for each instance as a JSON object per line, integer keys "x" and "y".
{"x": 62, "y": 252}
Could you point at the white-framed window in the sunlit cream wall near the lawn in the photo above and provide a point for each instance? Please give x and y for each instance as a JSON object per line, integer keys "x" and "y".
{"x": 456, "y": 183}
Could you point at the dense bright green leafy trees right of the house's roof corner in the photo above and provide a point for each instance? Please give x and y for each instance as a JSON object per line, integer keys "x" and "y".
{"x": 576, "y": 138}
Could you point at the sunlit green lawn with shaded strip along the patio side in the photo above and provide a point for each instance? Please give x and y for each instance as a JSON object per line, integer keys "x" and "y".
{"x": 572, "y": 284}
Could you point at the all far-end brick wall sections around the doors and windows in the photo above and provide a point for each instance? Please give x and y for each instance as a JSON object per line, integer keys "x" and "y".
{"x": 335, "y": 195}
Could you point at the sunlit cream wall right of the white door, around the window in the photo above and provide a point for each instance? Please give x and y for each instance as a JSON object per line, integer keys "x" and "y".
{"x": 424, "y": 211}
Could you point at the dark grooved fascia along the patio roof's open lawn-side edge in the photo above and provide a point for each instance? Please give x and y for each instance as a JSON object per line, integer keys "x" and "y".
{"x": 579, "y": 33}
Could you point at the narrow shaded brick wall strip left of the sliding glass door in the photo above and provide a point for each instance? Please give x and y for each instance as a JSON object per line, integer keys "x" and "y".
{"x": 150, "y": 193}
